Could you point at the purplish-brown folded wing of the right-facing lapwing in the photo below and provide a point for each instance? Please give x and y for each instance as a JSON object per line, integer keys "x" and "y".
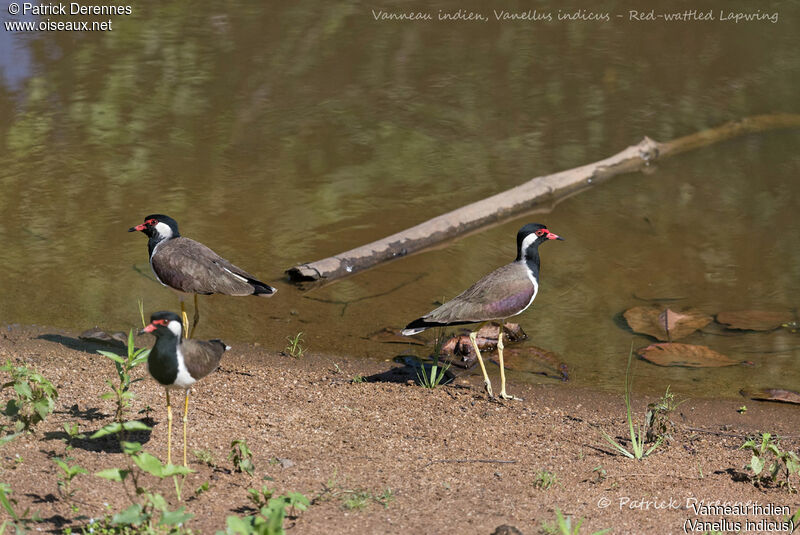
{"x": 502, "y": 293}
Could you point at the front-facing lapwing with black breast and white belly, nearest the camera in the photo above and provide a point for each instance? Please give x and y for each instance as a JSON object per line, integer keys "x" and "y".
{"x": 179, "y": 363}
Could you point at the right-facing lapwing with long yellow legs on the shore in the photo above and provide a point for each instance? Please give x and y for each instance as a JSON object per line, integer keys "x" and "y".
{"x": 506, "y": 291}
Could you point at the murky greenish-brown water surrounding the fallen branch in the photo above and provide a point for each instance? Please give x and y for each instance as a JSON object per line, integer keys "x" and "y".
{"x": 278, "y": 133}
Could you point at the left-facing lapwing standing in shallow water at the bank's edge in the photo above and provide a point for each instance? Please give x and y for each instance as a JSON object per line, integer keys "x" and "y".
{"x": 190, "y": 267}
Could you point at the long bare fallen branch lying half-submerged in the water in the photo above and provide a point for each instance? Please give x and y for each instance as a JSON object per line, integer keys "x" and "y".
{"x": 524, "y": 197}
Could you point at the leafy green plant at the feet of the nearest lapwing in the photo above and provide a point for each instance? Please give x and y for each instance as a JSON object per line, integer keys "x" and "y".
{"x": 149, "y": 510}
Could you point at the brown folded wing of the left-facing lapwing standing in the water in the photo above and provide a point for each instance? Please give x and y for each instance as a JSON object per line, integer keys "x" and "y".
{"x": 191, "y": 267}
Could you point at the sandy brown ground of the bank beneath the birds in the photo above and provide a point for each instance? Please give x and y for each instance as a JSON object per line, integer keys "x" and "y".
{"x": 448, "y": 460}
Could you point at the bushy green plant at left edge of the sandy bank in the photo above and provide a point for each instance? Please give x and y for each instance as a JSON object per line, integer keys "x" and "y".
{"x": 35, "y": 397}
